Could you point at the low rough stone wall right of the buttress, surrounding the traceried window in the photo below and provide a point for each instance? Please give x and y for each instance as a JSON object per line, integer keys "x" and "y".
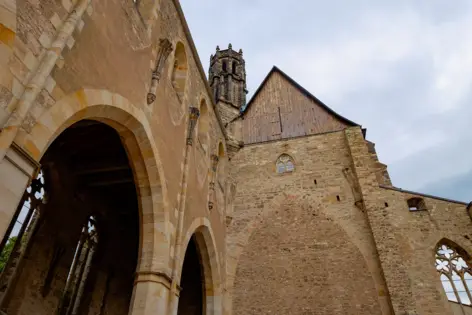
{"x": 417, "y": 233}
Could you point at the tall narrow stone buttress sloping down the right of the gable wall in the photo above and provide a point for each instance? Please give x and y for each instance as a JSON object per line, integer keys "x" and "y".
{"x": 388, "y": 247}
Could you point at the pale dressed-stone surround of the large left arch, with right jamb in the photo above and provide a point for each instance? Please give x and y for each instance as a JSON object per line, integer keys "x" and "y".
{"x": 135, "y": 133}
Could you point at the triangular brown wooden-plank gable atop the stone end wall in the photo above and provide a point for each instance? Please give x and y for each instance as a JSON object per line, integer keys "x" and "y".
{"x": 282, "y": 109}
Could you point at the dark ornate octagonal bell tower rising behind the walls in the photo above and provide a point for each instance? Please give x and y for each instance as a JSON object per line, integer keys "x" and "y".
{"x": 227, "y": 78}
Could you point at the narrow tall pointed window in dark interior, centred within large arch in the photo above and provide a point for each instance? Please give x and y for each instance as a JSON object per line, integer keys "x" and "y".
{"x": 80, "y": 267}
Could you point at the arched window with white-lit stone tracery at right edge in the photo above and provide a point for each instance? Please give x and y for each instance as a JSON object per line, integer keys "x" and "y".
{"x": 455, "y": 273}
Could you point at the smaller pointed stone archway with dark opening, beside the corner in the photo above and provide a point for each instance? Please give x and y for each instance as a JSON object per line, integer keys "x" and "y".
{"x": 200, "y": 256}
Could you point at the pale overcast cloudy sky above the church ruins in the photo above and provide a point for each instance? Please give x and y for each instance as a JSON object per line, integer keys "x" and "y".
{"x": 402, "y": 69}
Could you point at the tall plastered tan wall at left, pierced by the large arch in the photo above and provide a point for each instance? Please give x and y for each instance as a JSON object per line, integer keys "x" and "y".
{"x": 104, "y": 72}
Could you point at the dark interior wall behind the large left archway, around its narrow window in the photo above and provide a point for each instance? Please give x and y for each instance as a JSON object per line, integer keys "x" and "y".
{"x": 43, "y": 272}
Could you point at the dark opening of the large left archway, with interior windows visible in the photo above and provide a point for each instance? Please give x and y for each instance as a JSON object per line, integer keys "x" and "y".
{"x": 81, "y": 252}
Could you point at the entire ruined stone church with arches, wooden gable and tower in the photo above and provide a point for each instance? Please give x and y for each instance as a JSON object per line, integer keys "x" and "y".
{"x": 132, "y": 184}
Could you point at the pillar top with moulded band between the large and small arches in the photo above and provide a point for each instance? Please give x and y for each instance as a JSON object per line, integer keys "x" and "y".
{"x": 150, "y": 294}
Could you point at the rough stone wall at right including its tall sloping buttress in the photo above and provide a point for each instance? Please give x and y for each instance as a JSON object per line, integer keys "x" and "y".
{"x": 406, "y": 241}
